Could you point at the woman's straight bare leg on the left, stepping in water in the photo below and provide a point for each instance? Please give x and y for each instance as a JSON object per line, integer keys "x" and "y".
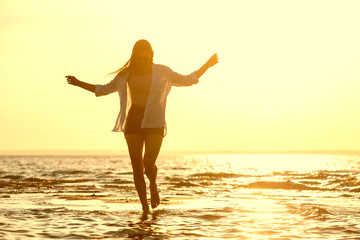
{"x": 135, "y": 145}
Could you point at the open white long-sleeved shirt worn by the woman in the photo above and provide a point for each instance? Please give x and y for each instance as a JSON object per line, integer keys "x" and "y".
{"x": 163, "y": 78}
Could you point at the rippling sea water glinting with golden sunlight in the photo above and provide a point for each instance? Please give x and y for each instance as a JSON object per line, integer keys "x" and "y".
{"x": 203, "y": 196}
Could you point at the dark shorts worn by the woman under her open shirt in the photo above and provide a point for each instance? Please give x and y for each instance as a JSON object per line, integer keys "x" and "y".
{"x": 134, "y": 120}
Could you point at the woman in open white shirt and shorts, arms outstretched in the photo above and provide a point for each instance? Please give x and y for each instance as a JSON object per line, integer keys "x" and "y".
{"x": 143, "y": 87}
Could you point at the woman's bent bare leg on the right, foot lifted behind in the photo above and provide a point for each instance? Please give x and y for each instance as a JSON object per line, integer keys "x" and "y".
{"x": 152, "y": 148}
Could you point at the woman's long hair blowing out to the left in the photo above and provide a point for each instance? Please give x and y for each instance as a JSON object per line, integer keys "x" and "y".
{"x": 141, "y": 45}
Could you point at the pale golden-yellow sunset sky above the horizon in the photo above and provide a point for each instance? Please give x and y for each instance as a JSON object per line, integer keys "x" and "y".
{"x": 288, "y": 76}
